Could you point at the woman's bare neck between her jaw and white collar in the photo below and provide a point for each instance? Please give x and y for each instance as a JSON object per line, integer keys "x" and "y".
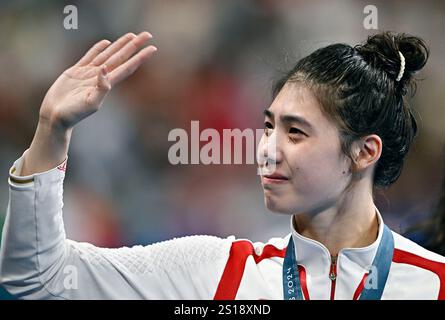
{"x": 351, "y": 224}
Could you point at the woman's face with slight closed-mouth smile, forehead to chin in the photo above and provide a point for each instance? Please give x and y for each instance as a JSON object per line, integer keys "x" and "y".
{"x": 310, "y": 171}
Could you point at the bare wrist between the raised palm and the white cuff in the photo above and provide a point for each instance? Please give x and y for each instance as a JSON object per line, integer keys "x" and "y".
{"x": 48, "y": 149}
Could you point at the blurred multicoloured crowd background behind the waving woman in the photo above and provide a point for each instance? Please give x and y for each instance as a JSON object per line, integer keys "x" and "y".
{"x": 216, "y": 63}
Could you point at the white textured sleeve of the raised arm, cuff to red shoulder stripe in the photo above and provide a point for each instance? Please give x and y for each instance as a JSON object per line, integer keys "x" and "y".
{"x": 38, "y": 262}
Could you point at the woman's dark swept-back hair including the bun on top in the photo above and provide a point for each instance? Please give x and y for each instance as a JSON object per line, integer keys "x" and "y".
{"x": 357, "y": 88}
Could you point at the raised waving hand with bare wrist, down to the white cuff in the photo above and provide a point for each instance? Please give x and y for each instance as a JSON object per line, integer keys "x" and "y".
{"x": 78, "y": 93}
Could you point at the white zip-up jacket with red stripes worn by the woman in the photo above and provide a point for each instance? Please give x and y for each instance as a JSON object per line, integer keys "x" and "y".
{"x": 38, "y": 262}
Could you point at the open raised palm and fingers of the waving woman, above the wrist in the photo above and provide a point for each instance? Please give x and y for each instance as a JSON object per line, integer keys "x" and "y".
{"x": 81, "y": 89}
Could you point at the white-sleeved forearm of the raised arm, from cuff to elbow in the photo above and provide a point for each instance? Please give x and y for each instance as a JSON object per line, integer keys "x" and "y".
{"x": 33, "y": 237}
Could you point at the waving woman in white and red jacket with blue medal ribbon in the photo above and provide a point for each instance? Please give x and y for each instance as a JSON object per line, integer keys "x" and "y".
{"x": 341, "y": 128}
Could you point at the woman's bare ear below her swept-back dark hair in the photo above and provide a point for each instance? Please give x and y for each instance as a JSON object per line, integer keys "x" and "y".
{"x": 367, "y": 151}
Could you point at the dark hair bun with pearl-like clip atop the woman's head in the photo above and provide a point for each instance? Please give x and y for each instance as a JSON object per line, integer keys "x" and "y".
{"x": 382, "y": 52}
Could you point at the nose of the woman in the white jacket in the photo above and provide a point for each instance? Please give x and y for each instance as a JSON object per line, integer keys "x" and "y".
{"x": 269, "y": 154}
